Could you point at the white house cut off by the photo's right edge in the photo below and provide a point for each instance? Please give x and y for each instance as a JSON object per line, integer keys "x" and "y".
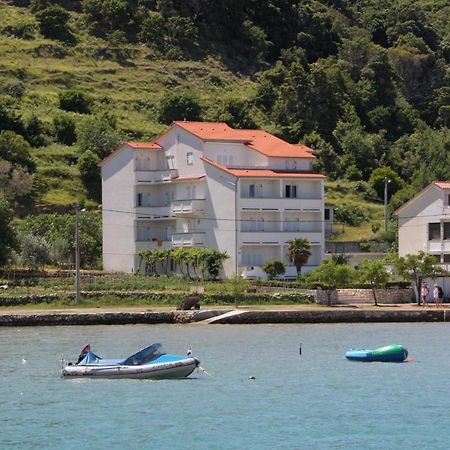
{"x": 424, "y": 223}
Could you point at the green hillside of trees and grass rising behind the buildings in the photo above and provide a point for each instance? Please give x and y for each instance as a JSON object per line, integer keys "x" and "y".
{"x": 365, "y": 83}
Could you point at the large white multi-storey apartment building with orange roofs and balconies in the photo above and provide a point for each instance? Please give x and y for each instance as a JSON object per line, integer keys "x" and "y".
{"x": 245, "y": 192}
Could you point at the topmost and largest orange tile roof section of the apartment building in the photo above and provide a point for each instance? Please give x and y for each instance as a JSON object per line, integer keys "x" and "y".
{"x": 258, "y": 140}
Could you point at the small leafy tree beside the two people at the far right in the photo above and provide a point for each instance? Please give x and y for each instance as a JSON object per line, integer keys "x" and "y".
{"x": 415, "y": 268}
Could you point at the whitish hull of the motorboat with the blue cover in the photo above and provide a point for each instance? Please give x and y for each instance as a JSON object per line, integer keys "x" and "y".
{"x": 174, "y": 369}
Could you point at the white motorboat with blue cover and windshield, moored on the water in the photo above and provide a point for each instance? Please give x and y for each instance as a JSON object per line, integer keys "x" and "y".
{"x": 150, "y": 362}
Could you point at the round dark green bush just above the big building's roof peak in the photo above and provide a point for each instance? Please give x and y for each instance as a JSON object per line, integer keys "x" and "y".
{"x": 178, "y": 106}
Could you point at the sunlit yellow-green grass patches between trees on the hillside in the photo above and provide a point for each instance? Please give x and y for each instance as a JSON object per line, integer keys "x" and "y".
{"x": 130, "y": 89}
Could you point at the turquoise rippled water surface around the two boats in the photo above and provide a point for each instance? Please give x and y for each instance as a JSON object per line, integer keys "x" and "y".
{"x": 316, "y": 400}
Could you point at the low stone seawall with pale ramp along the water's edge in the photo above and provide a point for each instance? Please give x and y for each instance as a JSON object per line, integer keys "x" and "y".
{"x": 243, "y": 315}
